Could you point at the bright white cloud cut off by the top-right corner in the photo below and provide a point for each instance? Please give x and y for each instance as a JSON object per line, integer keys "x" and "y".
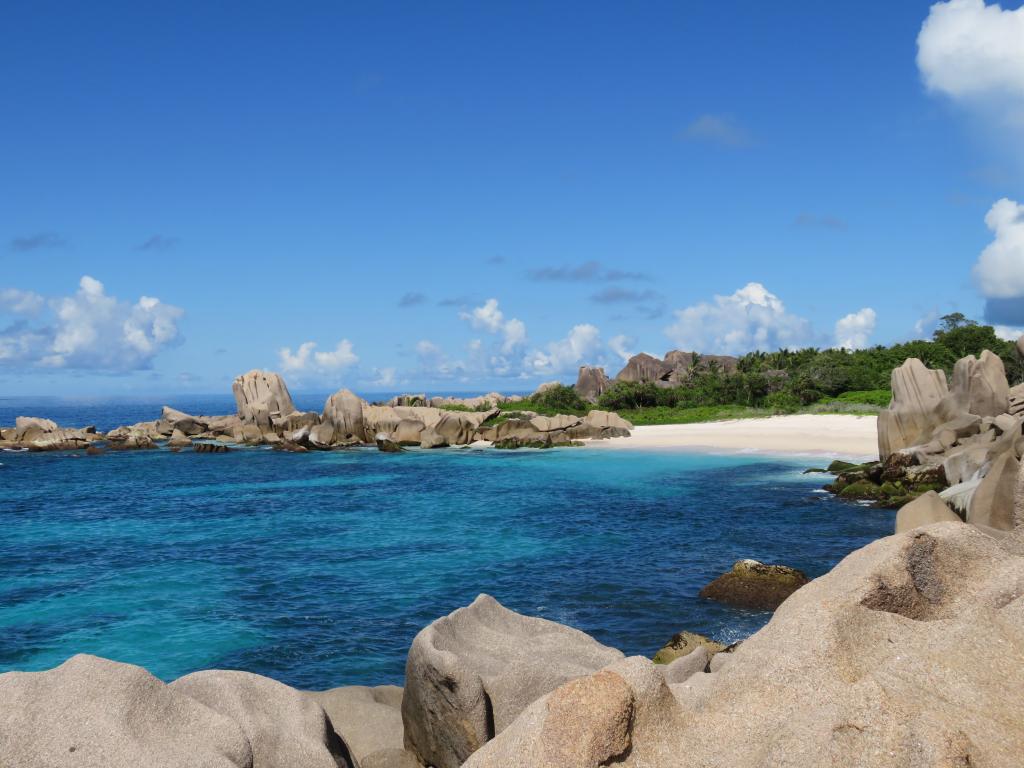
{"x": 968, "y": 50}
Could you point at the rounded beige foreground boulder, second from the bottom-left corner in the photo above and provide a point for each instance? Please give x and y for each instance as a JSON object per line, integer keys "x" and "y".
{"x": 286, "y": 729}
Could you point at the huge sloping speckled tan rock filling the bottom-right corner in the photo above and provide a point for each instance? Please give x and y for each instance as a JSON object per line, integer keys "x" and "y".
{"x": 909, "y": 655}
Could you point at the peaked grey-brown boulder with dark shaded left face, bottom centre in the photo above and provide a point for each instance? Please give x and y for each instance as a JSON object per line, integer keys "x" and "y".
{"x": 471, "y": 674}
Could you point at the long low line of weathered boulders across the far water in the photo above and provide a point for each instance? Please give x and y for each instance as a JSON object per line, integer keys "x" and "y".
{"x": 267, "y": 415}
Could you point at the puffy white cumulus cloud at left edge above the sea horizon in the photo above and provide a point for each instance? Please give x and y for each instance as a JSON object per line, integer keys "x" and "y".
{"x": 88, "y": 331}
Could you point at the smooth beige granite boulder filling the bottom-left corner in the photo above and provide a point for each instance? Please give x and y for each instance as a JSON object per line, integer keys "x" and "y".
{"x": 92, "y": 713}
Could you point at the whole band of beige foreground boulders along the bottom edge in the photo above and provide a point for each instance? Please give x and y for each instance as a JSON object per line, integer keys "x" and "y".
{"x": 911, "y": 653}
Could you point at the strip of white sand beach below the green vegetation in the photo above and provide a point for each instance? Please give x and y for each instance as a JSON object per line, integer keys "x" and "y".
{"x": 854, "y": 437}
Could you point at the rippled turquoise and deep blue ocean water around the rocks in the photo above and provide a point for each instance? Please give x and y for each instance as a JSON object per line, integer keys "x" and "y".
{"x": 320, "y": 569}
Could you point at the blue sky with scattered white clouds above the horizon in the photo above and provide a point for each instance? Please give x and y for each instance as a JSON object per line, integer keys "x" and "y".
{"x": 472, "y": 196}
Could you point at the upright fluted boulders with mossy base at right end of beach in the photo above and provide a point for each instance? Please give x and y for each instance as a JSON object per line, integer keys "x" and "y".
{"x": 949, "y": 451}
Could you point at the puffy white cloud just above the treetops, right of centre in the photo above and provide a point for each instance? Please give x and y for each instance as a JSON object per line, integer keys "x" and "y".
{"x": 753, "y": 318}
